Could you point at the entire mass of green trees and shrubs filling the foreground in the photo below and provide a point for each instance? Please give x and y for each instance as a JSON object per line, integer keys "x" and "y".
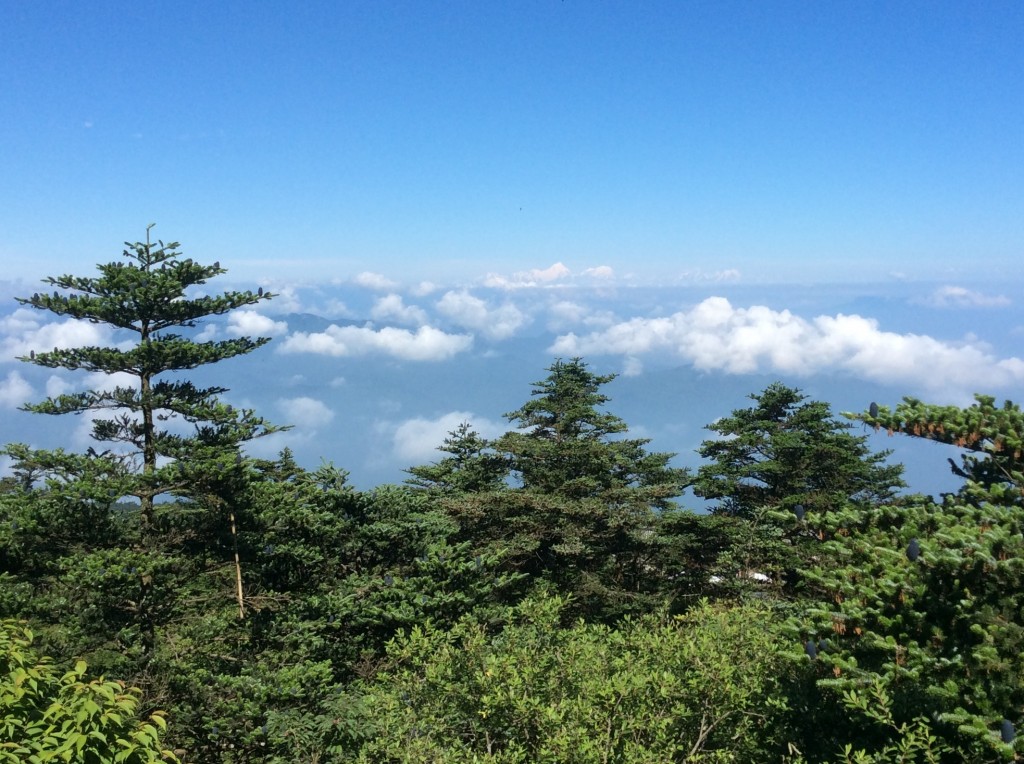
{"x": 535, "y": 598}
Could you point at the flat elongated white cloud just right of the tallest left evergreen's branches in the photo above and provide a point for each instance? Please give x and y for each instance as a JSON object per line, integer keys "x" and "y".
{"x": 426, "y": 344}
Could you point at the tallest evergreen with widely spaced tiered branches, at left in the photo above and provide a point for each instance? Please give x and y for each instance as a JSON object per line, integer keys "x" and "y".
{"x": 148, "y": 296}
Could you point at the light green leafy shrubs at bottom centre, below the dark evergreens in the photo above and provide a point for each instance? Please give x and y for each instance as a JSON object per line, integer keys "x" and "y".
{"x": 701, "y": 688}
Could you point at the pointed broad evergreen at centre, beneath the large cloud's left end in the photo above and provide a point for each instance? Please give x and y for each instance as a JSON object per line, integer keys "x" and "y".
{"x": 581, "y": 512}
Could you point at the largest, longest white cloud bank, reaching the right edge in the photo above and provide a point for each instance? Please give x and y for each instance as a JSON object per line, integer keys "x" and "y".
{"x": 716, "y": 336}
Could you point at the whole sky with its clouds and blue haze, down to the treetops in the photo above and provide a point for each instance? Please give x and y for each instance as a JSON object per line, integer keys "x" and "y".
{"x": 702, "y": 197}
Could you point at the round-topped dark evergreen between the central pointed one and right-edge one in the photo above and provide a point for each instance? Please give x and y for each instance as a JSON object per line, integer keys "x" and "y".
{"x": 774, "y": 464}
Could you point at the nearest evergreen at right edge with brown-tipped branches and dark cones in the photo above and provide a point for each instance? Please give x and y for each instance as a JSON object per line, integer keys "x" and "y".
{"x": 924, "y": 600}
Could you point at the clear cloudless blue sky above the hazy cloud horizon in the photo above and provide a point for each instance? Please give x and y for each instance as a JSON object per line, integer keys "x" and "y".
{"x": 798, "y": 141}
